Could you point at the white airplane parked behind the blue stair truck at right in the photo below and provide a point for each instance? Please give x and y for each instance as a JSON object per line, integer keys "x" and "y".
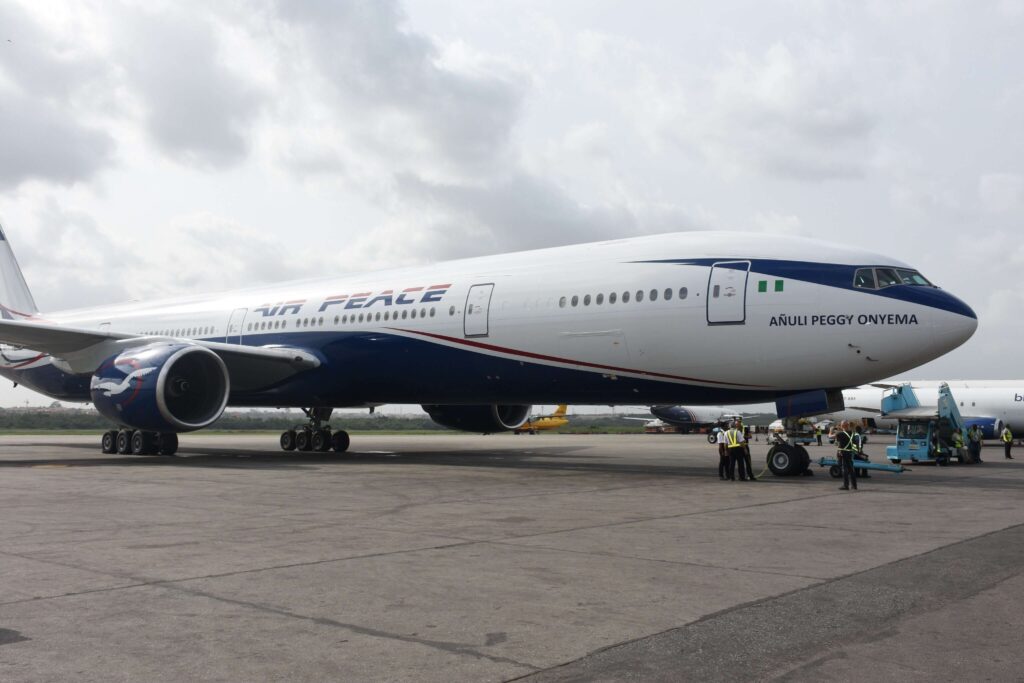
{"x": 988, "y": 404}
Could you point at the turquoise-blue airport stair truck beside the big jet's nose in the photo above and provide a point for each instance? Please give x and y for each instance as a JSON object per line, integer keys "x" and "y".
{"x": 923, "y": 429}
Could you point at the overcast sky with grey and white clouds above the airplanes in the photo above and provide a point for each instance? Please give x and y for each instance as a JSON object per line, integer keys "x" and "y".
{"x": 156, "y": 149}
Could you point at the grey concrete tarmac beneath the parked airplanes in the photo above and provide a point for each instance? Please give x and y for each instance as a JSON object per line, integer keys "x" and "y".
{"x": 454, "y": 558}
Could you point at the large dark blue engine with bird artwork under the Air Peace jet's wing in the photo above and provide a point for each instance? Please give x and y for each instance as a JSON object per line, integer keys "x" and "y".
{"x": 162, "y": 388}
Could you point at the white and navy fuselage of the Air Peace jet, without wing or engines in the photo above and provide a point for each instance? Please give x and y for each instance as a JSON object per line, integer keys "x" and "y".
{"x": 682, "y": 318}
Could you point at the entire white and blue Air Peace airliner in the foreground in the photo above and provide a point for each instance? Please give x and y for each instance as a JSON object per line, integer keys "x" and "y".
{"x": 696, "y": 318}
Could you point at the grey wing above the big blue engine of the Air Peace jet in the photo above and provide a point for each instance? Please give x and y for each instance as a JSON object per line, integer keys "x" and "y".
{"x": 83, "y": 351}
